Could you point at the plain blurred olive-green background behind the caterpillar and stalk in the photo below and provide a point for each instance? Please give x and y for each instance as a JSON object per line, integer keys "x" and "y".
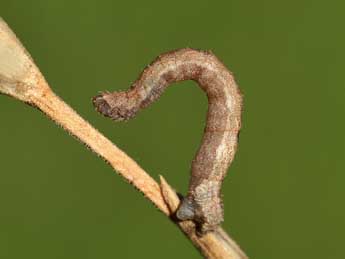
{"x": 284, "y": 195}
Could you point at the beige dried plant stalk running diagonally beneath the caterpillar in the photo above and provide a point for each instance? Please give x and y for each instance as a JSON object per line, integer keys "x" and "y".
{"x": 20, "y": 78}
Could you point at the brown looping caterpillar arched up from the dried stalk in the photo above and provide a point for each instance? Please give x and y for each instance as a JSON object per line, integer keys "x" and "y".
{"x": 203, "y": 202}
